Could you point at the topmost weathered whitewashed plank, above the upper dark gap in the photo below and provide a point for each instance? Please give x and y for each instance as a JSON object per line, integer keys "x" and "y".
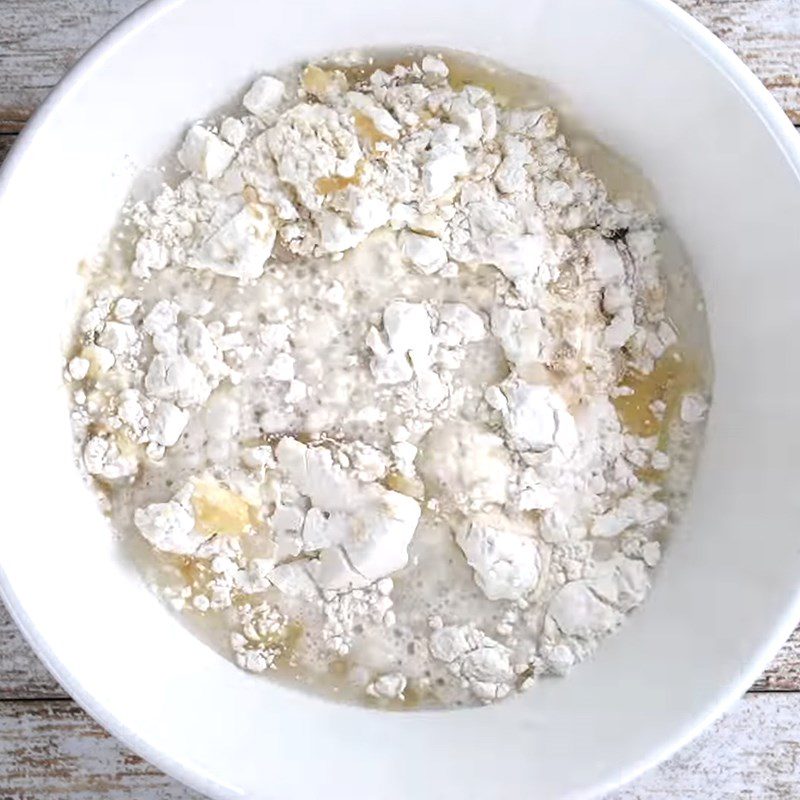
{"x": 41, "y": 39}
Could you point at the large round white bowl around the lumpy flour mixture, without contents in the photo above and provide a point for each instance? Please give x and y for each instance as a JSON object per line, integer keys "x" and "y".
{"x": 653, "y": 85}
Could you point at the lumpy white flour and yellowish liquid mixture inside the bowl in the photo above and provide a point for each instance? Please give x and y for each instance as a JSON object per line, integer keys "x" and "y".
{"x": 382, "y": 394}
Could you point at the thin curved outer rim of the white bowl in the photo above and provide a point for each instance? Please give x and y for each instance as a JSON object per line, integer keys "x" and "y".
{"x": 784, "y": 136}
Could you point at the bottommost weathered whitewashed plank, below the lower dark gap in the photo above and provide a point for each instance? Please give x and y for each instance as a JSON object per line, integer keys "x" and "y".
{"x": 52, "y": 751}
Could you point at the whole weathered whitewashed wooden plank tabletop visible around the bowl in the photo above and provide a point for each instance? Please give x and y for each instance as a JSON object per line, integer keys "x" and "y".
{"x": 49, "y": 748}
